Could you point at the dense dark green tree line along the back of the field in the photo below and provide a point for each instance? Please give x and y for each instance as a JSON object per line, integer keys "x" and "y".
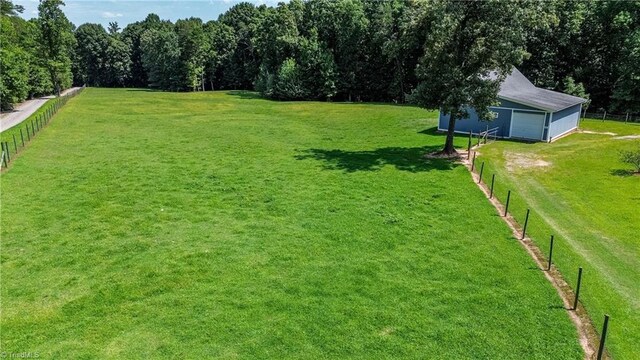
{"x": 358, "y": 50}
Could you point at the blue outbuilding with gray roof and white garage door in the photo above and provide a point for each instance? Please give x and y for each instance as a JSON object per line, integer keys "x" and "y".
{"x": 525, "y": 112}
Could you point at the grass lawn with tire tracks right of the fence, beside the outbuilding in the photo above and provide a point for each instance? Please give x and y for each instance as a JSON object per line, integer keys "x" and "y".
{"x": 581, "y": 192}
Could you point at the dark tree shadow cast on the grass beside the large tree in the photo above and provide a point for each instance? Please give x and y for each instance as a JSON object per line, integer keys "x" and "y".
{"x": 405, "y": 159}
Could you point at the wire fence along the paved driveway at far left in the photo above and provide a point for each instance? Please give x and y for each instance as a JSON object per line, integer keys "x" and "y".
{"x": 14, "y": 140}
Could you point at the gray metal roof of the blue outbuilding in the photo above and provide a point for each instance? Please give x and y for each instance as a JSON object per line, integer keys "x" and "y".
{"x": 517, "y": 88}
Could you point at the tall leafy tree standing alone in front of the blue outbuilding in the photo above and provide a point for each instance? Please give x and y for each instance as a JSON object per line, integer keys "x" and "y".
{"x": 469, "y": 50}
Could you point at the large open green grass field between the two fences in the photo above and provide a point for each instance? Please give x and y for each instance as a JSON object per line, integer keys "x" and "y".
{"x": 218, "y": 225}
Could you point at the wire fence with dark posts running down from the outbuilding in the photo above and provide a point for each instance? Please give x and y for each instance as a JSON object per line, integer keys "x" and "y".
{"x": 515, "y": 209}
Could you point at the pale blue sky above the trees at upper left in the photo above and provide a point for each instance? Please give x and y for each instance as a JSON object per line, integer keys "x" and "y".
{"x": 127, "y": 11}
